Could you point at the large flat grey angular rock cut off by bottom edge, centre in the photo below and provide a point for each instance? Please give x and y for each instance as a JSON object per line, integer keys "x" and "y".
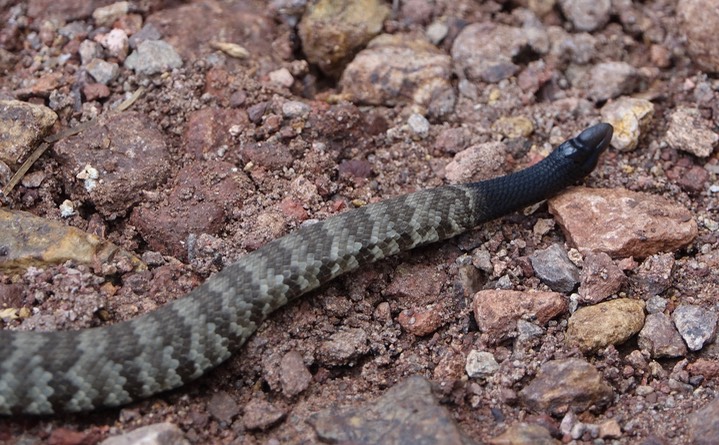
{"x": 407, "y": 413}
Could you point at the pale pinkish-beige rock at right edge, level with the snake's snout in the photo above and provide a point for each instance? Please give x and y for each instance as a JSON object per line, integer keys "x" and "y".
{"x": 689, "y": 131}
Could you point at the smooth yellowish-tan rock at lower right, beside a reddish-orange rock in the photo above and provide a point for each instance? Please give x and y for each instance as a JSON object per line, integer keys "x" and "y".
{"x": 613, "y": 322}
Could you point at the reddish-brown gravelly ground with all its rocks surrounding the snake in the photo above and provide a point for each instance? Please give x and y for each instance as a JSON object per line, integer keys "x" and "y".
{"x": 182, "y": 135}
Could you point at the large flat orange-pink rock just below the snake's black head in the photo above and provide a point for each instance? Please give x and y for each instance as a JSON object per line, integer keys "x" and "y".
{"x": 622, "y": 223}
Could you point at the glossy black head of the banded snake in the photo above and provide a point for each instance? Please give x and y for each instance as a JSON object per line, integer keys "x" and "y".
{"x": 584, "y": 150}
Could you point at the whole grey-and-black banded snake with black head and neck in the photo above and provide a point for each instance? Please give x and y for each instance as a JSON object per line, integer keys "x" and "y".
{"x": 52, "y": 372}
